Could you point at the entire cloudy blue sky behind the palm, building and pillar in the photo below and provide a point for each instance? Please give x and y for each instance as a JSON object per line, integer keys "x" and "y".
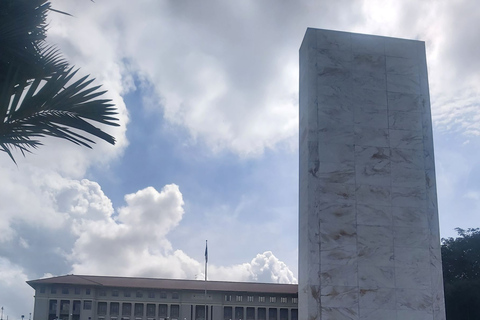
{"x": 207, "y": 94}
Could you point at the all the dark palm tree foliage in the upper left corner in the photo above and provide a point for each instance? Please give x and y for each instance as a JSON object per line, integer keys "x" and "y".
{"x": 38, "y": 96}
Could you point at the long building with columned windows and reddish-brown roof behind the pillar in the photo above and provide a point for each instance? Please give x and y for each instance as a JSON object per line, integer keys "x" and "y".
{"x": 78, "y": 297}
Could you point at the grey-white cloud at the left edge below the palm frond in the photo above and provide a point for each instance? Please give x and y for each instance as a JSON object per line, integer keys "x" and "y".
{"x": 39, "y": 208}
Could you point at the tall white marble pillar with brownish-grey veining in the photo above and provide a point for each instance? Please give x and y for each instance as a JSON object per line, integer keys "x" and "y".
{"x": 369, "y": 245}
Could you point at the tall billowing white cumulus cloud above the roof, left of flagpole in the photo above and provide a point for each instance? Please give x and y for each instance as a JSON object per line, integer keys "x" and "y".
{"x": 133, "y": 242}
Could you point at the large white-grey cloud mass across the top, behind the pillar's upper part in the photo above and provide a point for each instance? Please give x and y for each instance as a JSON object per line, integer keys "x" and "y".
{"x": 228, "y": 72}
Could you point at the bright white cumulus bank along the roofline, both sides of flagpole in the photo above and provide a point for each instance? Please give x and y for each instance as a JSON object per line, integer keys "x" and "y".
{"x": 135, "y": 243}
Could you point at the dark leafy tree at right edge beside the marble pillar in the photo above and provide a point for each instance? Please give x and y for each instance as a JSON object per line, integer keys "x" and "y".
{"x": 461, "y": 274}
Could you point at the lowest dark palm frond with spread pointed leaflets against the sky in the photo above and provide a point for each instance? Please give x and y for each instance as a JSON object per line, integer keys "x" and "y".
{"x": 52, "y": 107}
